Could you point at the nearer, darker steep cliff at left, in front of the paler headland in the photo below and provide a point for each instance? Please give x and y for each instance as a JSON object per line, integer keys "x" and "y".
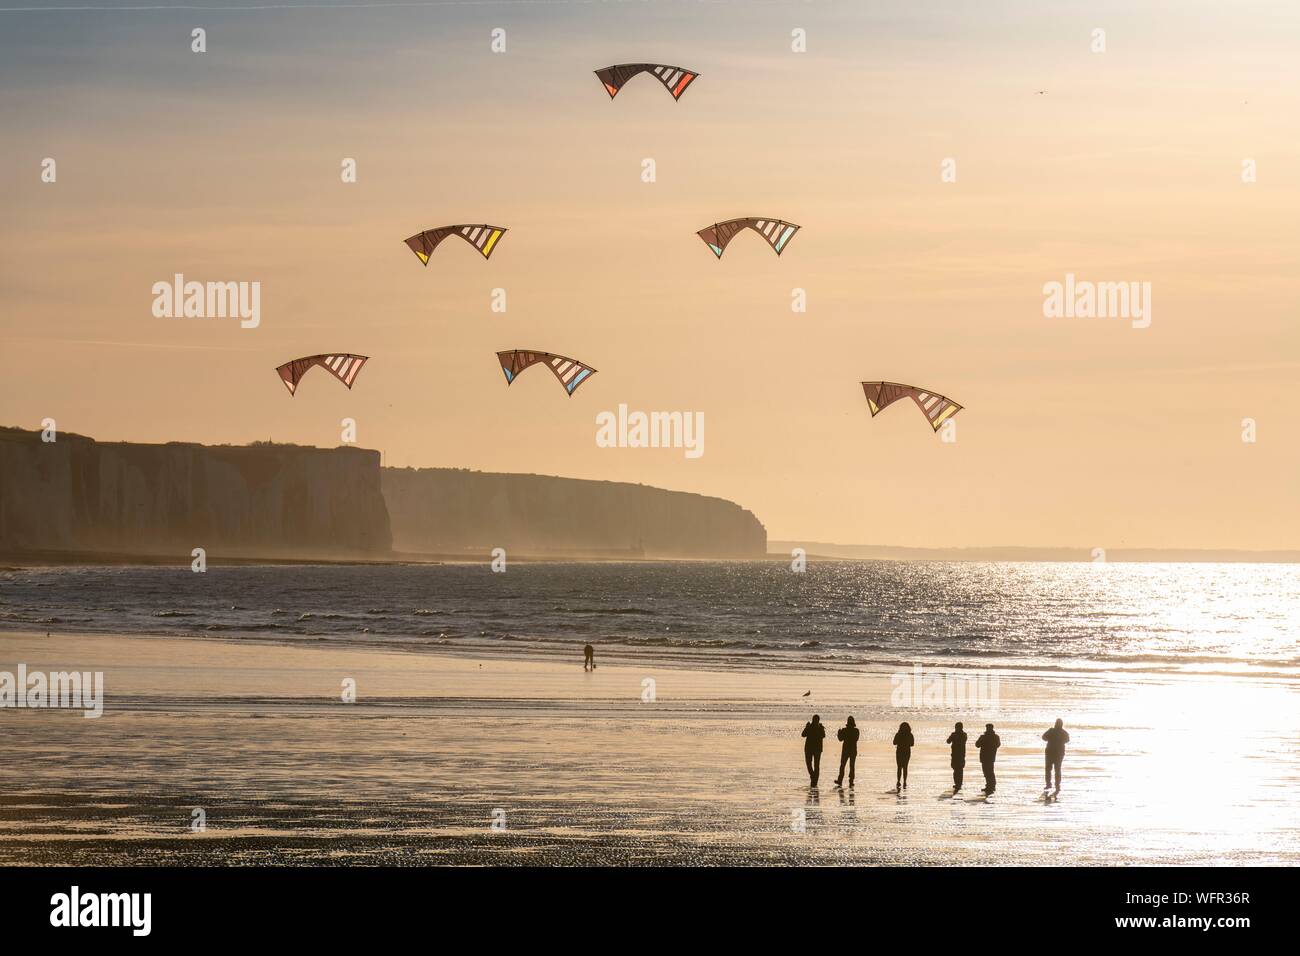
{"x": 274, "y": 501}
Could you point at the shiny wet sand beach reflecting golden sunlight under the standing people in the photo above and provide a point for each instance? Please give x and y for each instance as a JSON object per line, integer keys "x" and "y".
{"x": 457, "y": 759}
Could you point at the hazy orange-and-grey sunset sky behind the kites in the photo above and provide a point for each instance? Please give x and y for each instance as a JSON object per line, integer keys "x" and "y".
{"x": 226, "y": 166}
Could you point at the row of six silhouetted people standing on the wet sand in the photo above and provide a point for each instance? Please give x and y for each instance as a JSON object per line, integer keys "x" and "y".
{"x": 987, "y": 745}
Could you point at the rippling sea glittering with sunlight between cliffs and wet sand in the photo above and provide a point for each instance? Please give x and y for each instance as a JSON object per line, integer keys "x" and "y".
{"x": 1160, "y": 618}
